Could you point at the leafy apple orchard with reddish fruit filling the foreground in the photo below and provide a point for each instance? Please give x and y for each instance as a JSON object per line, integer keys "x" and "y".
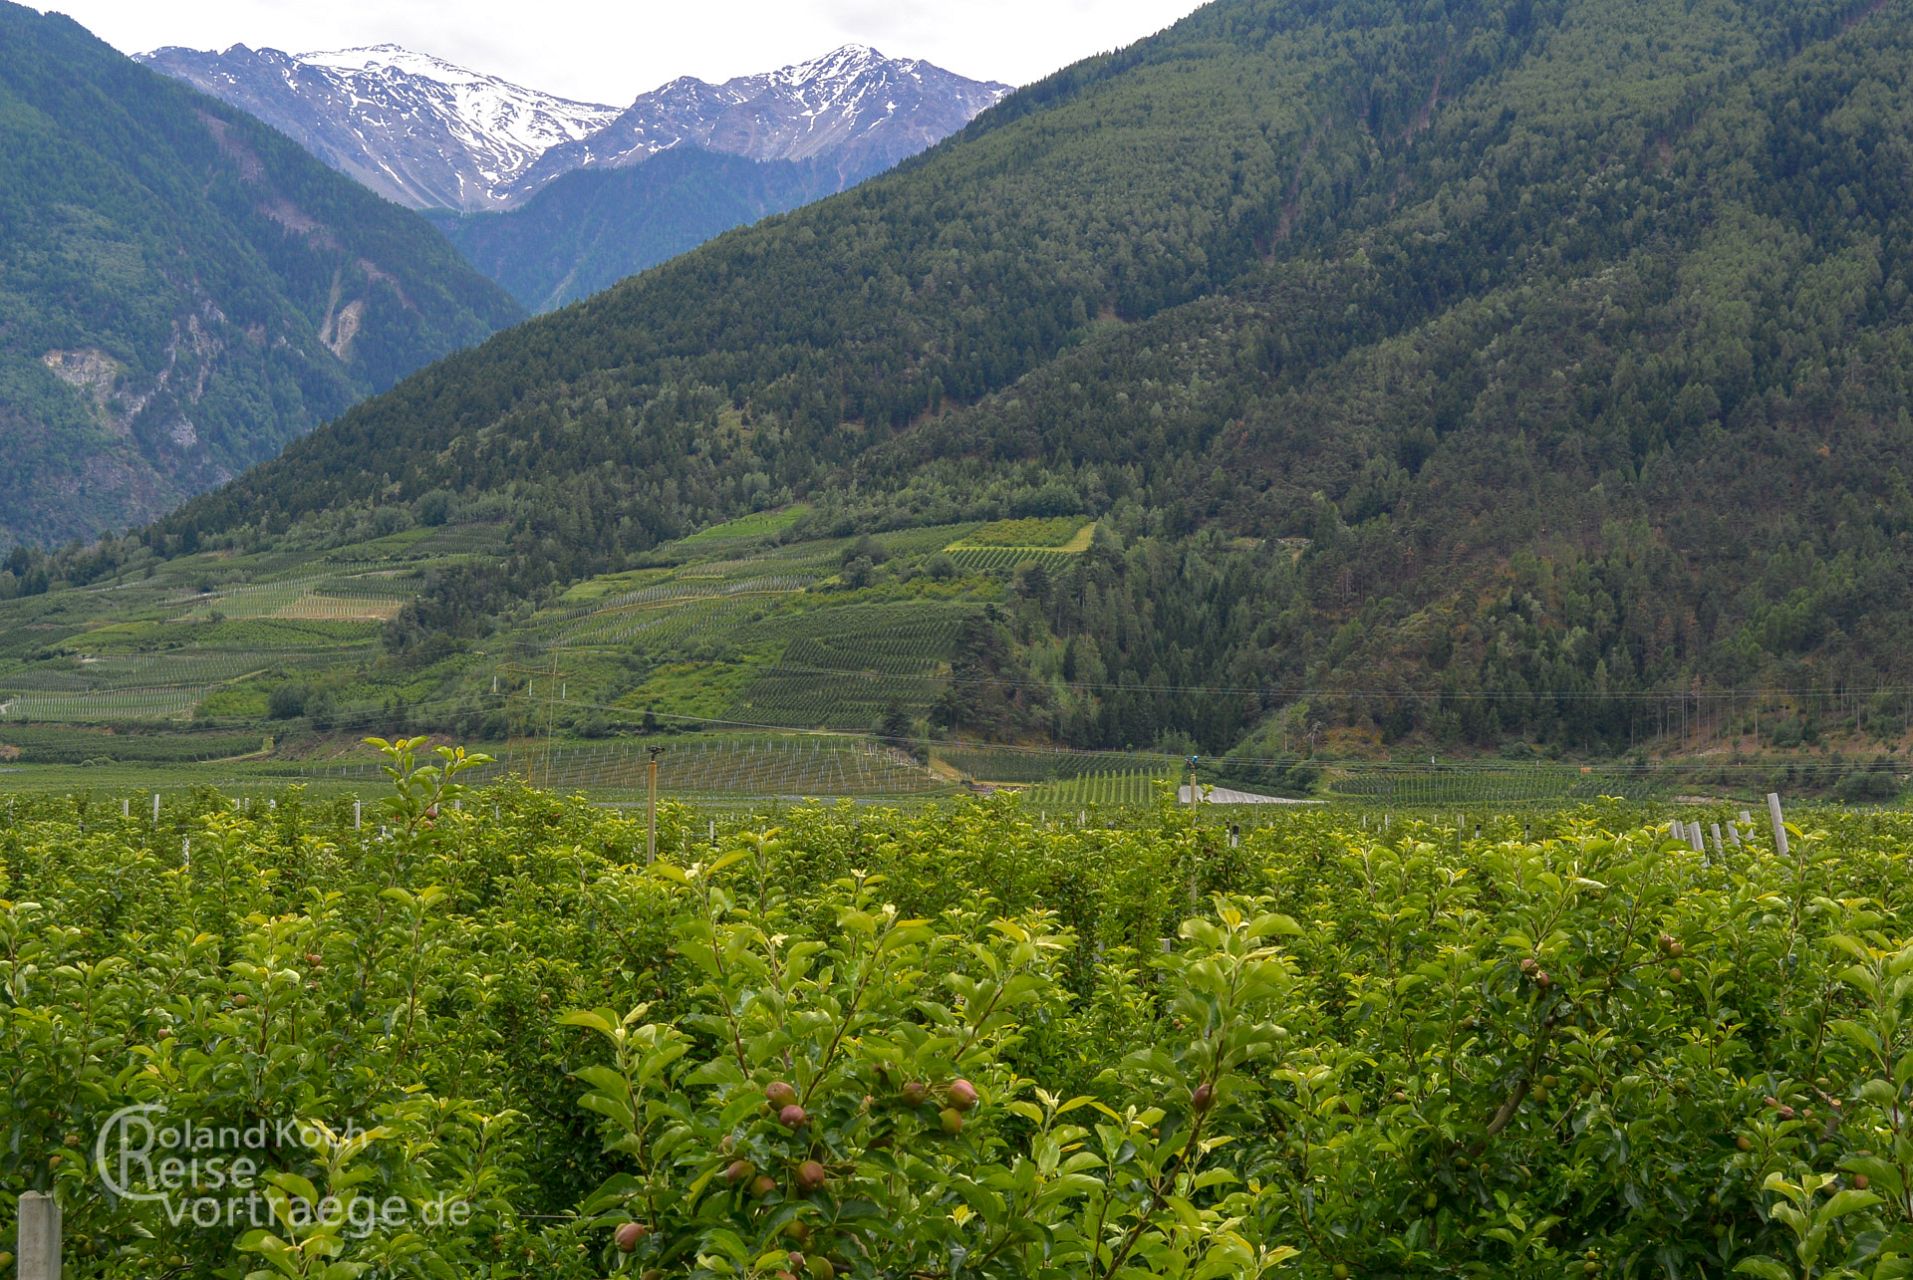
{"x": 858, "y": 1036}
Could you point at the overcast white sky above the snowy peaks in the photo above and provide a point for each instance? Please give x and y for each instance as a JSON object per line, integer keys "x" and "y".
{"x": 613, "y": 51}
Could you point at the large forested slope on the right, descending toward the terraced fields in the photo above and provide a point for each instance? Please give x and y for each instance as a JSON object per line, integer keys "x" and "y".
{"x": 1472, "y": 368}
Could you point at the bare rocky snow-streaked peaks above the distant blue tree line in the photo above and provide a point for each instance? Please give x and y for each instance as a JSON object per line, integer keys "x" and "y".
{"x": 433, "y": 135}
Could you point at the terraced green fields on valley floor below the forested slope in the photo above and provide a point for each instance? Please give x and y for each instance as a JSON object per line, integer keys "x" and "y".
{"x": 753, "y": 627}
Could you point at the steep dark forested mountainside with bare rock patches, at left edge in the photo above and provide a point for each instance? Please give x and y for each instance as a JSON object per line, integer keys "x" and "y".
{"x": 183, "y": 290}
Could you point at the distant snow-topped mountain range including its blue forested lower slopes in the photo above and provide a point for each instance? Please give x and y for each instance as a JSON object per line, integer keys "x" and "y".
{"x": 558, "y": 200}
